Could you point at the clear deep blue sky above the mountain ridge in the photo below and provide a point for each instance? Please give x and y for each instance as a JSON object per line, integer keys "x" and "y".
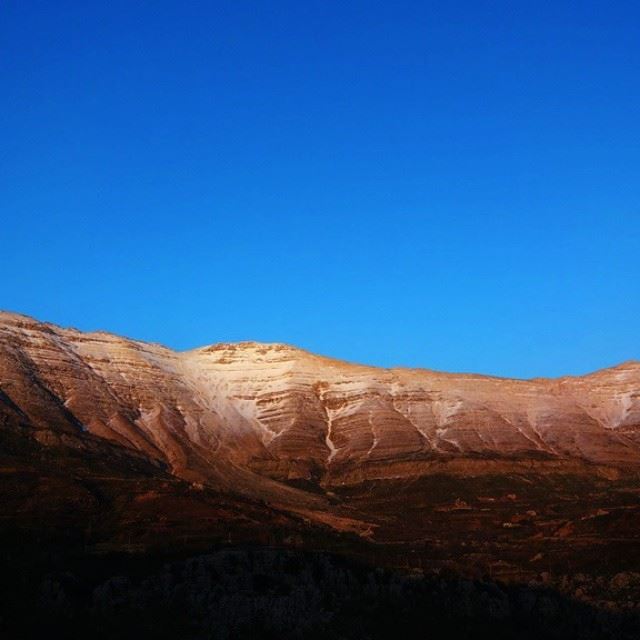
{"x": 453, "y": 185}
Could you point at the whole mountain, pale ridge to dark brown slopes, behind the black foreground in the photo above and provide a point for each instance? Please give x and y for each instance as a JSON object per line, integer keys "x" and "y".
{"x": 121, "y": 442}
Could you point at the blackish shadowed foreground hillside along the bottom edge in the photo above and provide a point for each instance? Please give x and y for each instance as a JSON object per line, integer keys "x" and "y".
{"x": 251, "y": 593}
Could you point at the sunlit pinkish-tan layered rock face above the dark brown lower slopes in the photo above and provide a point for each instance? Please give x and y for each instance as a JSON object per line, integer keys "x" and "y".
{"x": 286, "y": 413}
